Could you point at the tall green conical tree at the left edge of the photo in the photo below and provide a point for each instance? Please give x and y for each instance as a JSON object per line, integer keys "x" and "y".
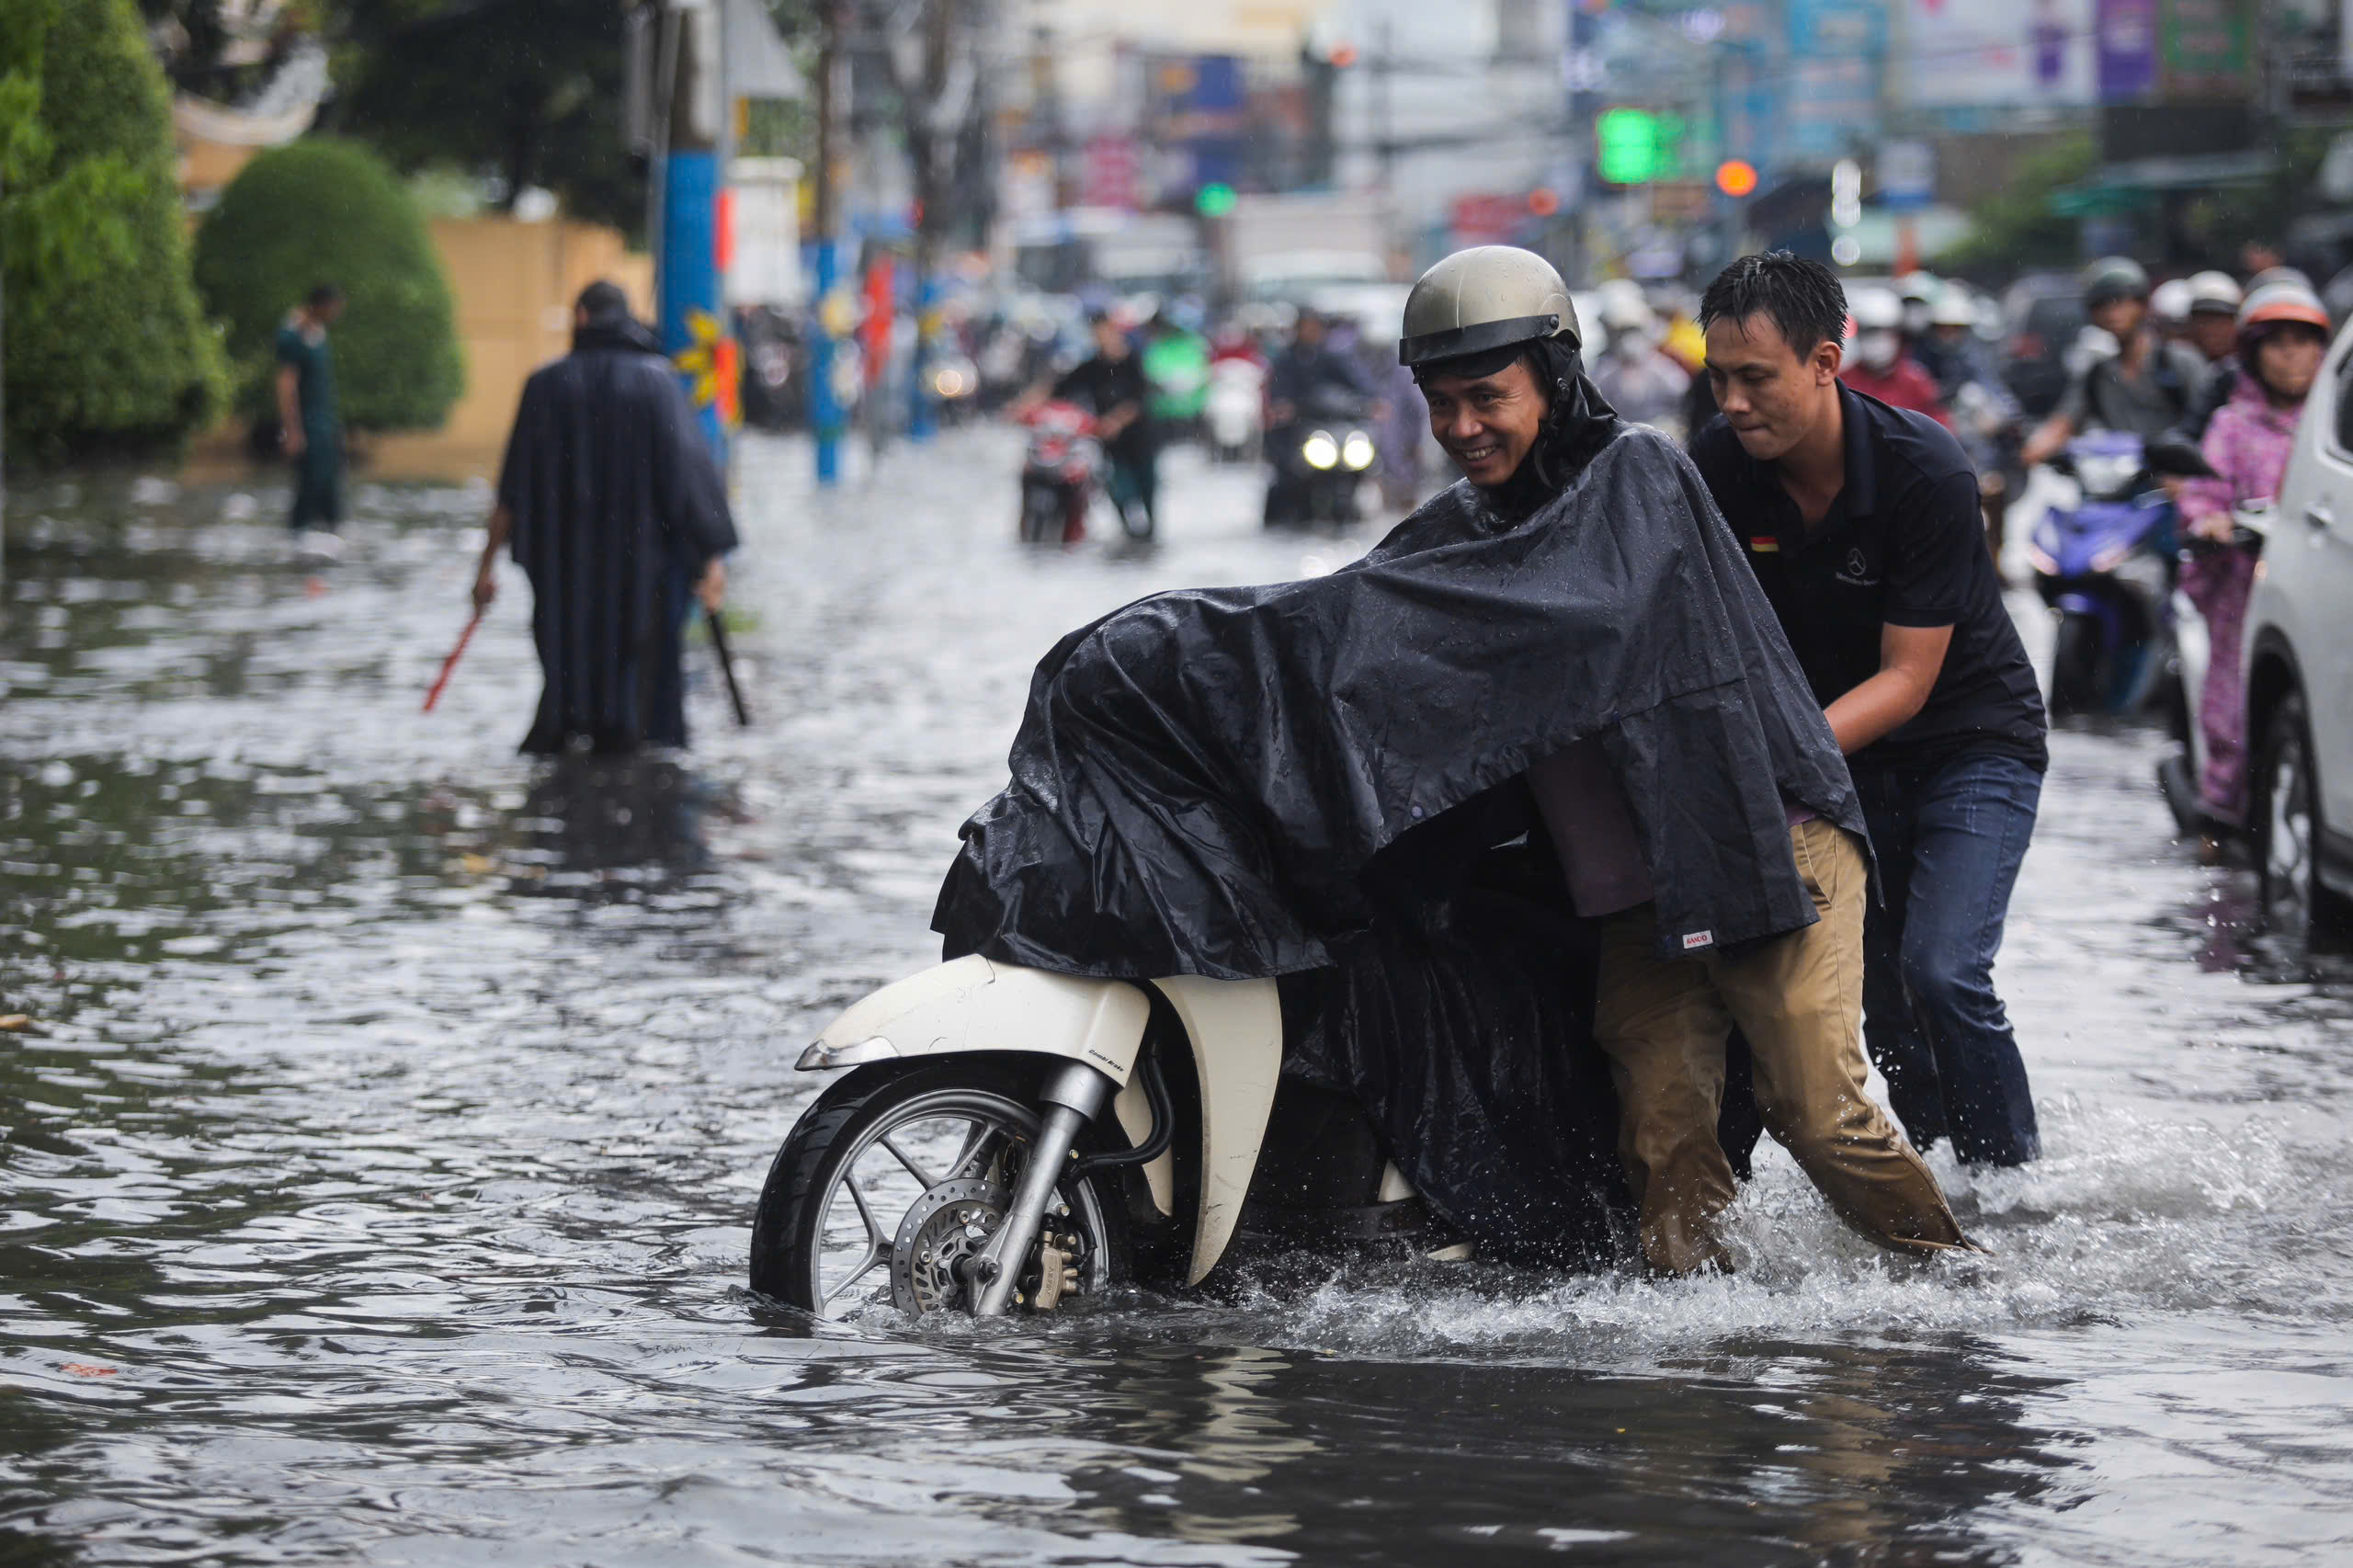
{"x": 105, "y": 345}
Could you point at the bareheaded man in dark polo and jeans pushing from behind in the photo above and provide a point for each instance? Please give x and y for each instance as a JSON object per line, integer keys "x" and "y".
{"x": 1862, "y": 526}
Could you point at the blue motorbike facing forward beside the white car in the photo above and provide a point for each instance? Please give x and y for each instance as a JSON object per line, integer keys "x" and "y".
{"x": 2107, "y": 573}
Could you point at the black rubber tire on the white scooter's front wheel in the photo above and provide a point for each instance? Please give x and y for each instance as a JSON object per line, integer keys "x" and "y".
{"x": 787, "y": 1235}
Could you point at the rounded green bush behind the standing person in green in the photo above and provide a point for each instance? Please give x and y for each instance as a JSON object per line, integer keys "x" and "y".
{"x": 324, "y": 211}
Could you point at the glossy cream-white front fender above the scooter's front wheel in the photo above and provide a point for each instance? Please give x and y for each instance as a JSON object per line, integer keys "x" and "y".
{"x": 973, "y": 1004}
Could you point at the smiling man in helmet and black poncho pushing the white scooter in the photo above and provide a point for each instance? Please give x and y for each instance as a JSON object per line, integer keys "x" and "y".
{"x": 1571, "y": 642}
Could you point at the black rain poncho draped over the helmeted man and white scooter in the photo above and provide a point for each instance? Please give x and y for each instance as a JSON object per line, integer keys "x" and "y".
{"x": 1204, "y": 778}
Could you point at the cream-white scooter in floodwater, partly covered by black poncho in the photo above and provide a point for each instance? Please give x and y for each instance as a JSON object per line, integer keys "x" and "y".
{"x": 971, "y": 1167}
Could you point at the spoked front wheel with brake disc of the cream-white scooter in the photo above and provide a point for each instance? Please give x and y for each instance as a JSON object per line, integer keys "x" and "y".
{"x": 893, "y": 1183}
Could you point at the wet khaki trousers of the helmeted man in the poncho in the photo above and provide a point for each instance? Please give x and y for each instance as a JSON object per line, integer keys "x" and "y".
{"x": 1799, "y": 999}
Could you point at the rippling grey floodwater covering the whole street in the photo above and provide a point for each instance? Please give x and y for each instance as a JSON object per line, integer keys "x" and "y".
{"x": 382, "y": 1148}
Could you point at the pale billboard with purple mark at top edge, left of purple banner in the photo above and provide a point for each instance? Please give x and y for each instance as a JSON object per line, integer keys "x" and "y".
{"x": 2004, "y": 53}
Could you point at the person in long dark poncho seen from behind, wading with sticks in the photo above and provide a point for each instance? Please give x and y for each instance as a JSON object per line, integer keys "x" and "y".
{"x": 615, "y": 510}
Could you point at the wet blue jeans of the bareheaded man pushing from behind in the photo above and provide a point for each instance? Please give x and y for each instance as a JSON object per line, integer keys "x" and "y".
{"x": 1949, "y": 844}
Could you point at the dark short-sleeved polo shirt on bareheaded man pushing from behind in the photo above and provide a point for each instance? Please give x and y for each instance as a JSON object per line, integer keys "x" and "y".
{"x": 1905, "y": 545}
